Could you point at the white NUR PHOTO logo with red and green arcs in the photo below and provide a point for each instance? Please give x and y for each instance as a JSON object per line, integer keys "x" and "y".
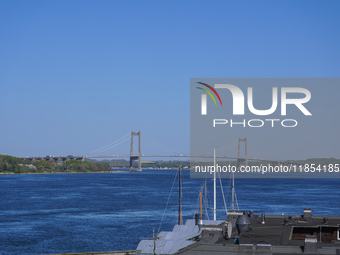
{"x": 238, "y": 105}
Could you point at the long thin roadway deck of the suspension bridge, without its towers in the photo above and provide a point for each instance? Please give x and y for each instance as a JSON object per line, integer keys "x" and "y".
{"x": 63, "y": 158}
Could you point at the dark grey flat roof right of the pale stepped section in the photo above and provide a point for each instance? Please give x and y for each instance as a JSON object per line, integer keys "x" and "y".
{"x": 275, "y": 235}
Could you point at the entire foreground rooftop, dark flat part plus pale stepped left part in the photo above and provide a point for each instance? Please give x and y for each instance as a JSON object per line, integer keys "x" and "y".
{"x": 247, "y": 233}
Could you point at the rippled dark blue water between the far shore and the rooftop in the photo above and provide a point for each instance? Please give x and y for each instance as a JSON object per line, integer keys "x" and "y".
{"x": 64, "y": 213}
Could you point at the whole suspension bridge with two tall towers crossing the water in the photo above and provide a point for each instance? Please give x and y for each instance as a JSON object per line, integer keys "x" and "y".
{"x": 138, "y": 156}
